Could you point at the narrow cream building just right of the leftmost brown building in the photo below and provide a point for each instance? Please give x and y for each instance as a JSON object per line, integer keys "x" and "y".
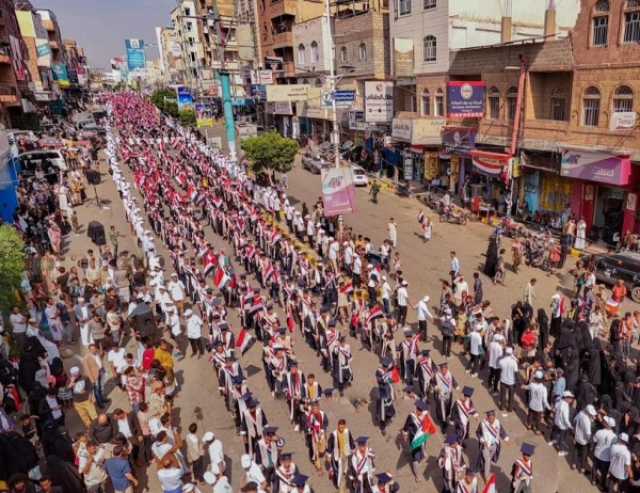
{"x": 36, "y": 41}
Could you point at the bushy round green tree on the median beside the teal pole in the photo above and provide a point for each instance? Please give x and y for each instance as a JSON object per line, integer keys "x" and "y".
{"x": 270, "y": 152}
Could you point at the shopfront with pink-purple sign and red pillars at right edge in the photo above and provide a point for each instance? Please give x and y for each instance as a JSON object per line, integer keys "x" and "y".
{"x": 603, "y": 192}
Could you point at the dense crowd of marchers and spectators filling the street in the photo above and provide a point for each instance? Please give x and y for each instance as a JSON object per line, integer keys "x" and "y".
{"x": 294, "y": 277}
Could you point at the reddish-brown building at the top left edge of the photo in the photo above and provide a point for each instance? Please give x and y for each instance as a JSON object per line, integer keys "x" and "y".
{"x": 14, "y": 72}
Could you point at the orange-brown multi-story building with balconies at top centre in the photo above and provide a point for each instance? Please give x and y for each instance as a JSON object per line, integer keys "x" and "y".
{"x": 276, "y": 19}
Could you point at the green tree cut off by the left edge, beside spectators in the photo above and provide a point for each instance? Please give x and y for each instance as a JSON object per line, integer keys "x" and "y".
{"x": 12, "y": 266}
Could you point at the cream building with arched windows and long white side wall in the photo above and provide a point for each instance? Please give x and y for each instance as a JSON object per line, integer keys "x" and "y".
{"x": 423, "y": 32}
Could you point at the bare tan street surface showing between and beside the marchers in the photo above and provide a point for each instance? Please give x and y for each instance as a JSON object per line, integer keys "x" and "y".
{"x": 424, "y": 265}
